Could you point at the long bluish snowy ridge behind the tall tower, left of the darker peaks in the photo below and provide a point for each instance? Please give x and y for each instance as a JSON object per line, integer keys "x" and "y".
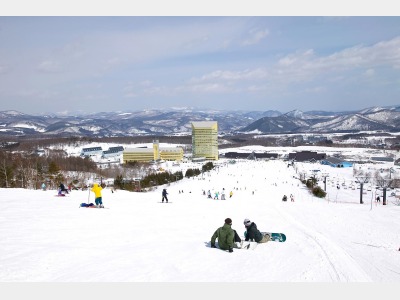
{"x": 146, "y": 122}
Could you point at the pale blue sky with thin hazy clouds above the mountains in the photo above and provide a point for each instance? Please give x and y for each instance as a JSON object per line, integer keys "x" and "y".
{"x": 93, "y": 64}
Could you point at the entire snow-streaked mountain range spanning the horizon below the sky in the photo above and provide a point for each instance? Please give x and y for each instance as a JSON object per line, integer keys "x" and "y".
{"x": 178, "y": 122}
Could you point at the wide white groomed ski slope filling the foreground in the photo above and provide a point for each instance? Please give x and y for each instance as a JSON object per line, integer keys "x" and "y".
{"x": 44, "y": 238}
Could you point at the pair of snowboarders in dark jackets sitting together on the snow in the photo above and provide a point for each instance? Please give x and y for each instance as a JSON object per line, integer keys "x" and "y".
{"x": 229, "y": 239}
